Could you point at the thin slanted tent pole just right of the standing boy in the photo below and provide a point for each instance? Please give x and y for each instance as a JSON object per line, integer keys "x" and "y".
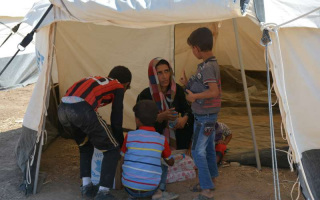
{"x": 245, "y": 87}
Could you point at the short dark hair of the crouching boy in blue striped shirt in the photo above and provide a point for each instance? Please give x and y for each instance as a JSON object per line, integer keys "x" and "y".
{"x": 146, "y": 111}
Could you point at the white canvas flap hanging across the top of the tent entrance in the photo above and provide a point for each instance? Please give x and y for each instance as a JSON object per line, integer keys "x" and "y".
{"x": 147, "y": 13}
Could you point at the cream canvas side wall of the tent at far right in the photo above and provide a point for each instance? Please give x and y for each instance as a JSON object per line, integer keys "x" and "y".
{"x": 298, "y": 85}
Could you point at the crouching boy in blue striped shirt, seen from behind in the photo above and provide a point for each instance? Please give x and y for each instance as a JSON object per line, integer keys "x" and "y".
{"x": 143, "y": 174}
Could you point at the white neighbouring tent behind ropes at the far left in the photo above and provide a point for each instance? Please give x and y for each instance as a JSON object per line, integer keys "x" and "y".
{"x": 23, "y": 70}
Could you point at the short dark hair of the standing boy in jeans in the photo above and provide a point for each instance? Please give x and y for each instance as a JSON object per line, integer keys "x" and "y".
{"x": 202, "y": 37}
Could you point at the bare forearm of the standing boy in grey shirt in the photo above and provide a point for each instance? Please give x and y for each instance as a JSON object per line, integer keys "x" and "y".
{"x": 212, "y": 92}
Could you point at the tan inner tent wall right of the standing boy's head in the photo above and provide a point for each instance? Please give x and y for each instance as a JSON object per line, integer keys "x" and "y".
{"x": 249, "y": 36}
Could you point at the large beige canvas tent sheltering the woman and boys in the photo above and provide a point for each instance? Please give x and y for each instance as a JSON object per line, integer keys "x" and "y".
{"x": 81, "y": 38}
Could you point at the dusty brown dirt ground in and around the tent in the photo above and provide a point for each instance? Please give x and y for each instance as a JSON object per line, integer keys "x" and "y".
{"x": 60, "y": 160}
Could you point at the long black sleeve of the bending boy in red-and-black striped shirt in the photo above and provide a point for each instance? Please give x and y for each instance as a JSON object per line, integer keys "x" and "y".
{"x": 117, "y": 115}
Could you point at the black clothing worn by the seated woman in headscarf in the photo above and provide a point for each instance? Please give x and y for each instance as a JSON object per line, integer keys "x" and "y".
{"x": 183, "y": 136}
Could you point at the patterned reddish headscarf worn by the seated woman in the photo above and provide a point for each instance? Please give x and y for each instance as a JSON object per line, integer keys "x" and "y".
{"x": 158, "y": 97}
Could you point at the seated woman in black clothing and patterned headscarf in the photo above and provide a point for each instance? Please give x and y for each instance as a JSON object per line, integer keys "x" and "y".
{"x": 171, "y": 102}
